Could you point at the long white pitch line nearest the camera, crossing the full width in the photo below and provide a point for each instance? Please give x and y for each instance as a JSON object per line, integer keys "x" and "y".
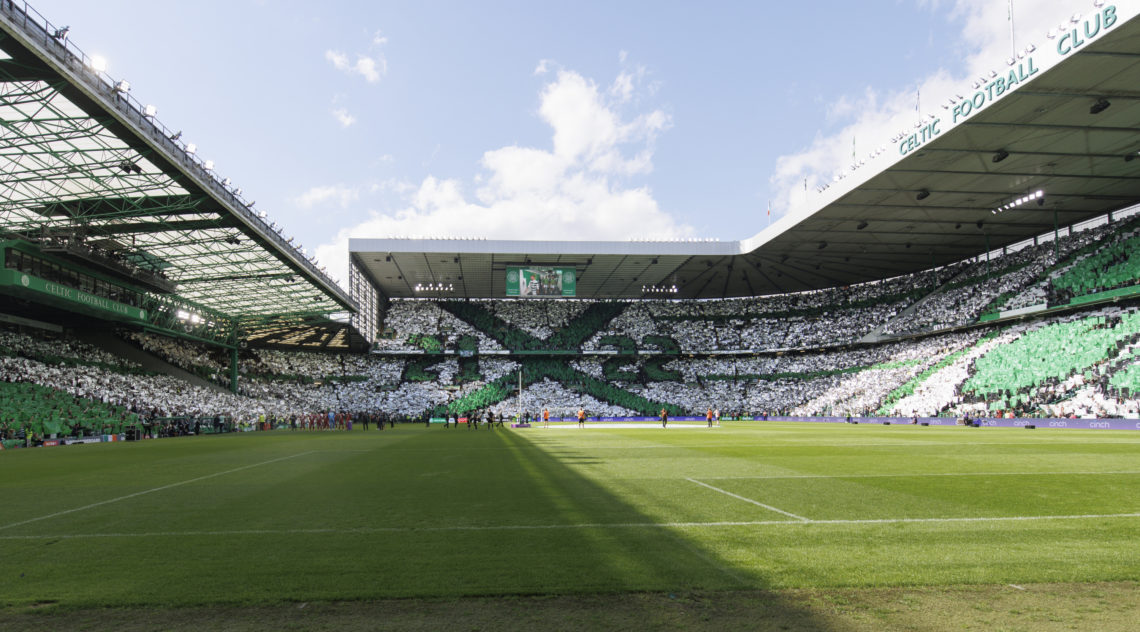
{"x": 564, "y": 528}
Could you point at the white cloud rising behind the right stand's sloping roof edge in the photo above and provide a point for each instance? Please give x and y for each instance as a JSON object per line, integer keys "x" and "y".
{"x": 875, "y": 116}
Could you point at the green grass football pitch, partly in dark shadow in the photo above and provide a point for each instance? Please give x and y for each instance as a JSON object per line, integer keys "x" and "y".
{"x": 272, "y": 518}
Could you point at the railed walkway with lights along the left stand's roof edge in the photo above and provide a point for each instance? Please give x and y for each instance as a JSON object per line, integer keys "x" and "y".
{"x": 54, "y": 42}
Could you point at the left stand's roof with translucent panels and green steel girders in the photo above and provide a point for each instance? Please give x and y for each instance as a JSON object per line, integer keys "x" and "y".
{"x": 86, "y": 163}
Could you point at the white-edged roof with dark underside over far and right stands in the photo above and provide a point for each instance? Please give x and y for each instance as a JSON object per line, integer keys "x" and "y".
{"x": 1062, "y": 119}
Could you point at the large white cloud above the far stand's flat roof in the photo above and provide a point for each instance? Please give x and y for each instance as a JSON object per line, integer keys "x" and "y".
{"x": 580, "y": 189}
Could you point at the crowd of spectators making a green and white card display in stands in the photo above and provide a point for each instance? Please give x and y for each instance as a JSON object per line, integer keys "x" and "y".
{"x": 793, "y": 354}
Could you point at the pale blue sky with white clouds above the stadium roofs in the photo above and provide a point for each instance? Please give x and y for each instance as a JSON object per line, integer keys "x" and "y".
{"x": 540, "y": 120}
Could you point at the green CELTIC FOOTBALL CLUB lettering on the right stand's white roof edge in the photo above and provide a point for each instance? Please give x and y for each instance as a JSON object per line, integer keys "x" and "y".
{"x": 1069, "y": 42}
